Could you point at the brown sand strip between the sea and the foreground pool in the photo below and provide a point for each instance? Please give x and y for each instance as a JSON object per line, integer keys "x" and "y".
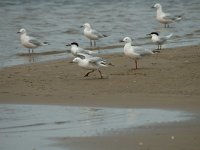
{"x": 172, "y": 74}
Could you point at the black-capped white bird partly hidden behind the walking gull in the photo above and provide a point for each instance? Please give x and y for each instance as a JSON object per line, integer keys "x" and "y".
{"x": 75, "y": 49}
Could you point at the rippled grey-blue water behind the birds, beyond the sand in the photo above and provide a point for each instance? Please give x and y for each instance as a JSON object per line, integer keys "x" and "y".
{"x": 58, "y": 22}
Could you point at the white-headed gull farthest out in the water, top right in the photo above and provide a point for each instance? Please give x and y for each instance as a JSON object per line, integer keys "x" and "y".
{"x": 165, "y": 18}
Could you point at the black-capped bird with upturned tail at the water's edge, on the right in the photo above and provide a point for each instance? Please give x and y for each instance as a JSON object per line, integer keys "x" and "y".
{"x": 159, "y": 40}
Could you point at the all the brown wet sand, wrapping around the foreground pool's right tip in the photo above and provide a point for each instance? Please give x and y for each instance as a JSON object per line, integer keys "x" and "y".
{"x": 169, "y": 80}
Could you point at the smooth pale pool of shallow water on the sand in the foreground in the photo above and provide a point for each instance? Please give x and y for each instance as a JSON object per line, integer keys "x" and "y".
{"x": 34, "y": 126}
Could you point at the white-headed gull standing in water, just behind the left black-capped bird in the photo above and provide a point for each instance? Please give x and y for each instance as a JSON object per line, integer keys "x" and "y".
{"x": 92, "y": 34}
